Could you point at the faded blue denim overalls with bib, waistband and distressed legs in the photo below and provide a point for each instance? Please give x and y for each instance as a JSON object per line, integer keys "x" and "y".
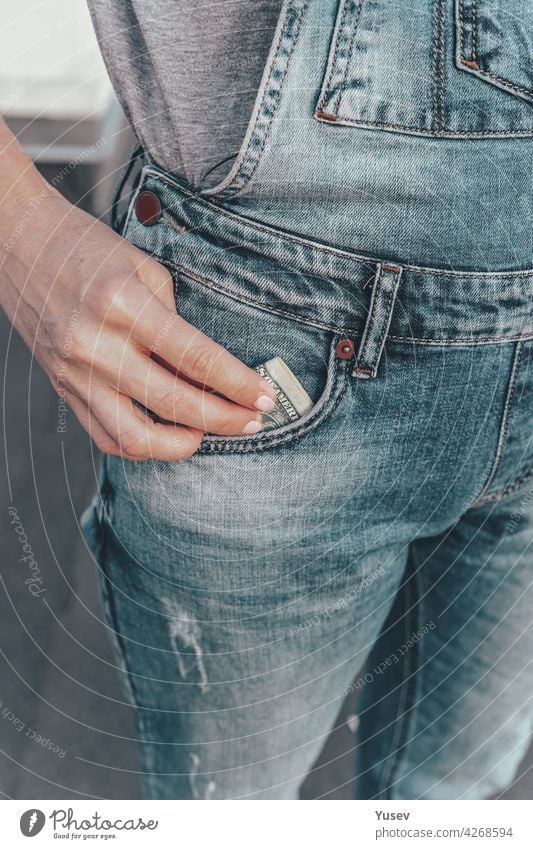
{"x": 375, "y": 232}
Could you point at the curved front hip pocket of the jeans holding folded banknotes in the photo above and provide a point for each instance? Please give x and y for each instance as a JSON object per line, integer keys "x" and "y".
{"x": 255, "y": 333}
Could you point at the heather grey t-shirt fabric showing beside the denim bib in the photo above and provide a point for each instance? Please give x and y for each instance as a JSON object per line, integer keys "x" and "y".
{"x": 187, "y": 75}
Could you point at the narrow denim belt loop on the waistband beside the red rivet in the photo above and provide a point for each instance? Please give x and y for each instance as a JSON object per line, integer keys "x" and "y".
{"x": 378, "y": 321}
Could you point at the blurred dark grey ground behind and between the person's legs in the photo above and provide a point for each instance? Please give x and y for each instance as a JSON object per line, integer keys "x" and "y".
{"x": 57, "y": 669}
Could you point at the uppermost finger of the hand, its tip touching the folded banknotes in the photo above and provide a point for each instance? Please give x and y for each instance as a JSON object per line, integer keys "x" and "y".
{"x": 191, "y": 351}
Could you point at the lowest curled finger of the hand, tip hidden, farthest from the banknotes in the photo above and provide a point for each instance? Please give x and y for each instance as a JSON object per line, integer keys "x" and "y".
{"x": 137, "y": 436}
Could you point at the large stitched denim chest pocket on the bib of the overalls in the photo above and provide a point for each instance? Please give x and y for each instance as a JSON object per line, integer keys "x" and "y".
{"x": 406, "y": 72}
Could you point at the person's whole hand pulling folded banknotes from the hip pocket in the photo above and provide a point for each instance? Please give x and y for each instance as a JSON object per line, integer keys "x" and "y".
{"x": 99, "y": 315}
